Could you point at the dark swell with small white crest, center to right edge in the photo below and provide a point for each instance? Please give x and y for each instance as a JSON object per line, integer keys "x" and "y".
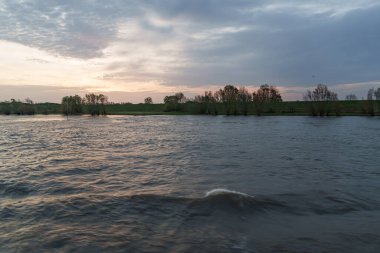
{"x": 229, "y": 201}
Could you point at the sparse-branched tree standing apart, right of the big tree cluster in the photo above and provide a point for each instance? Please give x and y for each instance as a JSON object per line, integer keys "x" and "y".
{"x": 321, "y": 100}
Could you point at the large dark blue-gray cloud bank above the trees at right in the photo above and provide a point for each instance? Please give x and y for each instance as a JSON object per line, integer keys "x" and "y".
{"x": 293, "y": 50}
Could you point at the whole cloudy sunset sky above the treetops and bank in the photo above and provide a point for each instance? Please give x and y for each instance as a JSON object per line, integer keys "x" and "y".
{"x": 129, "y": 50}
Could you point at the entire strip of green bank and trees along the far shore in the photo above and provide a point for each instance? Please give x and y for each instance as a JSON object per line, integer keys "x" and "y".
{"x": 227, "y": 101}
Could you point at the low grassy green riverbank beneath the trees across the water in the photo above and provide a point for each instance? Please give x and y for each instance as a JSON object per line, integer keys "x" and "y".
{"x": 289, "y": 108}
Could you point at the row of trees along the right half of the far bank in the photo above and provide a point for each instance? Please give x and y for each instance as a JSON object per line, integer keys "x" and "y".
{"x": 267, "y": 99}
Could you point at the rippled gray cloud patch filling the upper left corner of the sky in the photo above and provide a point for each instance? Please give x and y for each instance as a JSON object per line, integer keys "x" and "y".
{"x": 70, "y": 28}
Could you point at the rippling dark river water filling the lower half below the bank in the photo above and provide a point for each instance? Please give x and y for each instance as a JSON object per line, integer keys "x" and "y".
{"x": 147, "y": 184}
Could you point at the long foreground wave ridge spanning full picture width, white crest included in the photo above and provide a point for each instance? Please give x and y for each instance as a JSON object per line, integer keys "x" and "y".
{"x": 216, "y": 201}
